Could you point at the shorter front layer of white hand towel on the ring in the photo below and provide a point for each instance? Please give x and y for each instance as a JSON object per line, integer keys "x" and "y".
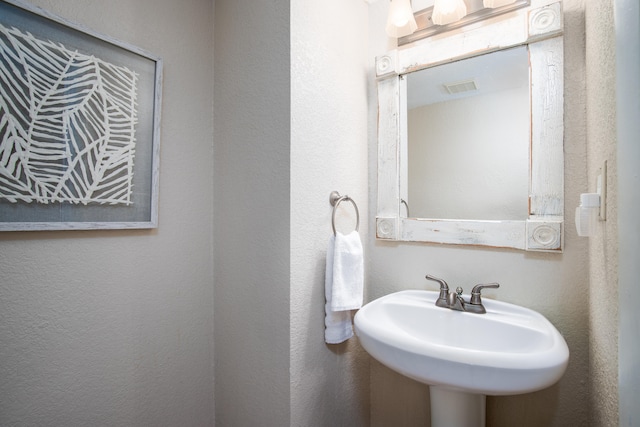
{"x": 348, "y": 272}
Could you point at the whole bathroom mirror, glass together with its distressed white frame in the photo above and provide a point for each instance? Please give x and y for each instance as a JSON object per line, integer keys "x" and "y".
{"x": 426, "y": 202}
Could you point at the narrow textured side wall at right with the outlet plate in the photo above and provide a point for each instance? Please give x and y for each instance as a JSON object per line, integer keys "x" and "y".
{"x": 603, "y": 247}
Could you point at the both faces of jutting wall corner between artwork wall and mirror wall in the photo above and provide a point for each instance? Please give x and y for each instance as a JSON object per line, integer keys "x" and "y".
{"x": 290, "y": 127}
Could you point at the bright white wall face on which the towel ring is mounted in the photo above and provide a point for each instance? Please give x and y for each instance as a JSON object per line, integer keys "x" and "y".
{"x": 329, "y": 62}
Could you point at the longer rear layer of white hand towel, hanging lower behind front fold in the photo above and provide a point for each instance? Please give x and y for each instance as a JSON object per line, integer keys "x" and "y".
{"x": 337, "y": 323}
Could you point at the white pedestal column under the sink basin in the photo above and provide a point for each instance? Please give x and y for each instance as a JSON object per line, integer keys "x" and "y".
{"x": 456, "y": 409}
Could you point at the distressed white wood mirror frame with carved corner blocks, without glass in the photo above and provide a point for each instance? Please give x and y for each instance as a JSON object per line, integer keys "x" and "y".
{"x": 539, "y": 26}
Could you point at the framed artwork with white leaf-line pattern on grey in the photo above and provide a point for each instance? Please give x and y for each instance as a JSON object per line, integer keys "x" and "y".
{"x": 79, "y": 126}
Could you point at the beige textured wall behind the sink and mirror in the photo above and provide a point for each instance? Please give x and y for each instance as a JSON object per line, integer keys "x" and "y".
{"x": 553, "y": 284}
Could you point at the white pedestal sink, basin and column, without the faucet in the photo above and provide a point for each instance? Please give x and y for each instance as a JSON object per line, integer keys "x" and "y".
{"x": 462, "y": 356}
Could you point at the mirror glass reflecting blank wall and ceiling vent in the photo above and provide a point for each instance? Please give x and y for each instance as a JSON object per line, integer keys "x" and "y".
{"x": 466, "y": 153}
